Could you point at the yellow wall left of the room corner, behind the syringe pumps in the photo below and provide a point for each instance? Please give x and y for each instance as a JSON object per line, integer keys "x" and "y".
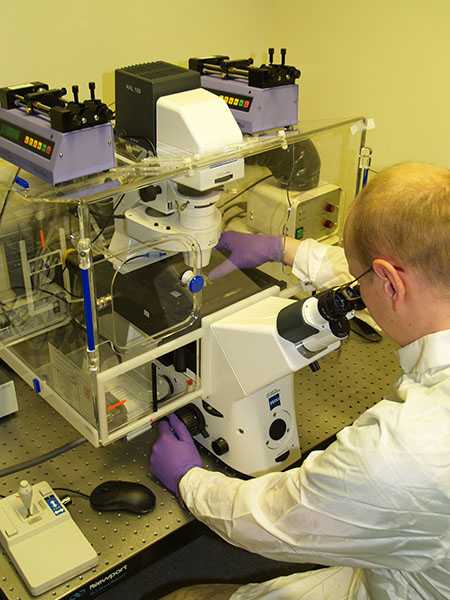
{"x": 64, "y": 43}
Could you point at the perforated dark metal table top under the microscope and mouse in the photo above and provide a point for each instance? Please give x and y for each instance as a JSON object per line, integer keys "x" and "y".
{"x": 348, "y": 382}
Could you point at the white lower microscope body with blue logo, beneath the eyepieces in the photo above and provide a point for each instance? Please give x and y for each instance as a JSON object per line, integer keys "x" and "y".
{"x": 248, "y": 372}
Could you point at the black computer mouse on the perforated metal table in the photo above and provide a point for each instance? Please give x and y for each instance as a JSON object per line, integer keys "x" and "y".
{"x": 122, "y": 495}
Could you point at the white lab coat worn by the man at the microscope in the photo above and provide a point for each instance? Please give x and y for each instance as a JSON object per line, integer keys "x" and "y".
{"x": 375, "y": 505}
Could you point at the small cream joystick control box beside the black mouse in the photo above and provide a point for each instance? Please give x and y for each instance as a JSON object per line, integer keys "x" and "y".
{"x": 41, "y": 538}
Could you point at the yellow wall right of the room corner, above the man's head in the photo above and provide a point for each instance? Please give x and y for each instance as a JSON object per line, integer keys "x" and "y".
{"x": 386, "y": 59}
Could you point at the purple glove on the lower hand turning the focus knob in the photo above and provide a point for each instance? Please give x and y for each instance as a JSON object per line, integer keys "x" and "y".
{"x": 174, "y": 453}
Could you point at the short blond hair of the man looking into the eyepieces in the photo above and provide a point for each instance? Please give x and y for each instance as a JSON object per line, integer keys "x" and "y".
{"x": 403, "y": 214}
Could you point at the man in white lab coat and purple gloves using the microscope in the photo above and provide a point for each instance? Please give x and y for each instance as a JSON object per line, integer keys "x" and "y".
{"x": 375, "y": 505}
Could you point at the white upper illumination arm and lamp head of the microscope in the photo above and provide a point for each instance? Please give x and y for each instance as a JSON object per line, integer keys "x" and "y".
{"x": 196, "y": 122}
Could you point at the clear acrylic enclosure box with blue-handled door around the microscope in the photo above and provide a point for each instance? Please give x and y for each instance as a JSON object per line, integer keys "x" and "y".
{"x": 99, "y": 320}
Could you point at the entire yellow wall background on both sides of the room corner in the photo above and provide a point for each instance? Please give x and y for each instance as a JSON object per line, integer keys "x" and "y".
{"x": 387, "y": 59}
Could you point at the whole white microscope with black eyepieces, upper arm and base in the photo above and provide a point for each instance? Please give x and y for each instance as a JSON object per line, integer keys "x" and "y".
{"x": 249, "y": 348}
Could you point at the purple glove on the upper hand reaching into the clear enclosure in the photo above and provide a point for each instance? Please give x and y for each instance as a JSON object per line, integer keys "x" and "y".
{"x": 247, "y": 250}
